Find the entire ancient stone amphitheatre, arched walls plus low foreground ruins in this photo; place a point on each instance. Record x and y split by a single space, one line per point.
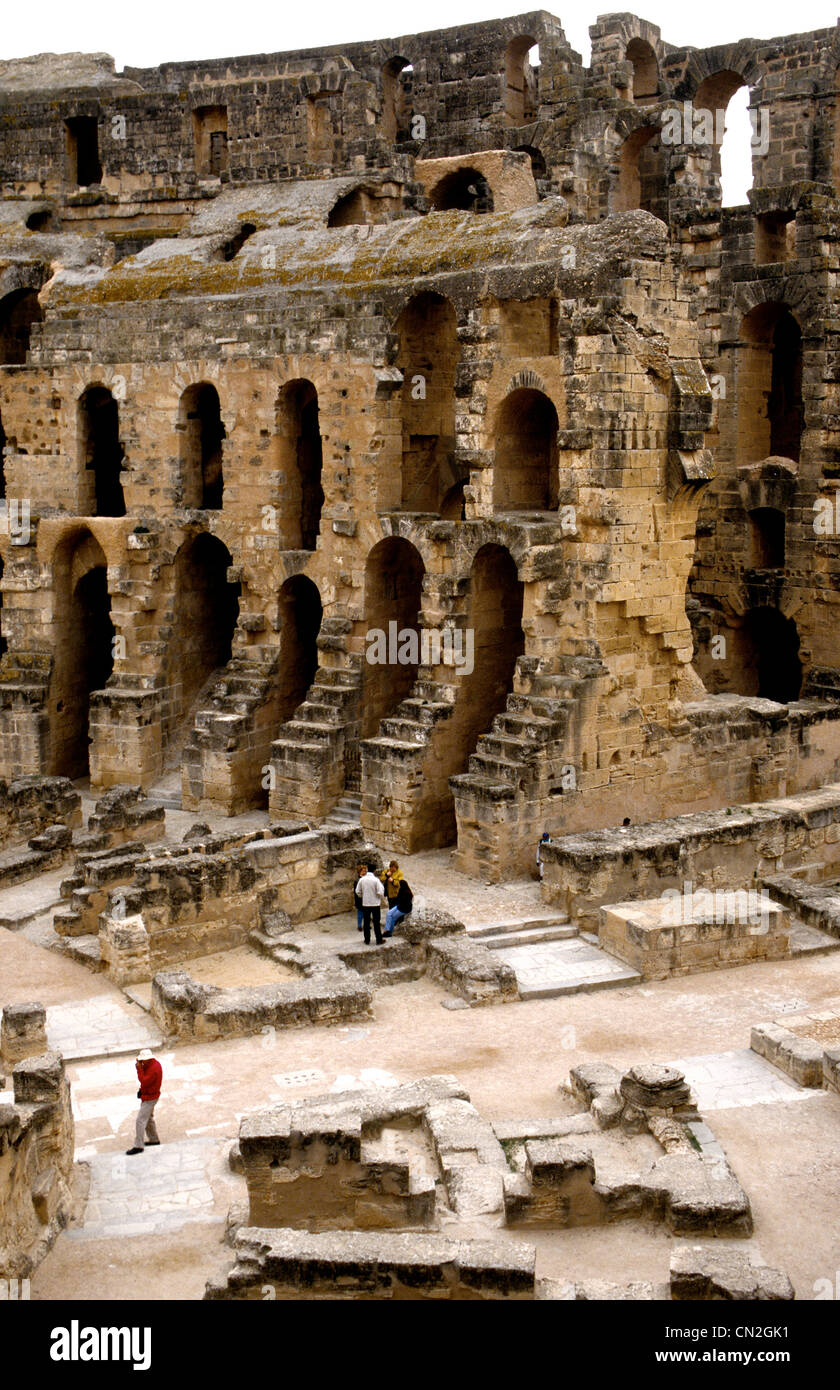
401 443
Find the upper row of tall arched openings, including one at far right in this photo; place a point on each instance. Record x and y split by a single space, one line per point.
526 473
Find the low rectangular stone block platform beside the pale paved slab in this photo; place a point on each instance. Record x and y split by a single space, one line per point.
686 933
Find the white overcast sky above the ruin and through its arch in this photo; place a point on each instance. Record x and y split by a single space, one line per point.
155 31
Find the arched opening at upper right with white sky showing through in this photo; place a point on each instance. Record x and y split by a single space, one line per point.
722 104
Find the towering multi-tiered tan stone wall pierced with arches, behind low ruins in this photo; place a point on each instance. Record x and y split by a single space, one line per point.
270 230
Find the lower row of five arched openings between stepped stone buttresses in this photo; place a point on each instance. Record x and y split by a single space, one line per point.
205 612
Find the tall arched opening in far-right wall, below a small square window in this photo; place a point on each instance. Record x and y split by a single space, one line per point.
770 380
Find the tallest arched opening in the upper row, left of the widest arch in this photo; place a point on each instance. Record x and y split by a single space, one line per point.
429 361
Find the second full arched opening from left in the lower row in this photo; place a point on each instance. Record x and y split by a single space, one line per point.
207 607
